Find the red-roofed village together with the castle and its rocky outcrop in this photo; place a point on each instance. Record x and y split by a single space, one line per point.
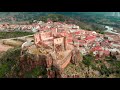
60 43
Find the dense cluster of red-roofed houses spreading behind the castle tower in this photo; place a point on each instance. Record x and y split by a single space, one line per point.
85 41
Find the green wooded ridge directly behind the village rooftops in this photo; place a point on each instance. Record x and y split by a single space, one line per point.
69 20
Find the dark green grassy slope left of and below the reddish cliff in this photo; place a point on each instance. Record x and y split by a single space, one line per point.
9 66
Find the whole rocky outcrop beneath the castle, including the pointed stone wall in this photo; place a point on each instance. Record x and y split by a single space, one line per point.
54 63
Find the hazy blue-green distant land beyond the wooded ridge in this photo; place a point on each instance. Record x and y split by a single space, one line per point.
96 19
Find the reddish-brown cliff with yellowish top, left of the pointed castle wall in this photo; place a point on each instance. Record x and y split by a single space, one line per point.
34 57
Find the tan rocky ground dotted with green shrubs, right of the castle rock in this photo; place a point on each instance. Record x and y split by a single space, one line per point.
100 69
